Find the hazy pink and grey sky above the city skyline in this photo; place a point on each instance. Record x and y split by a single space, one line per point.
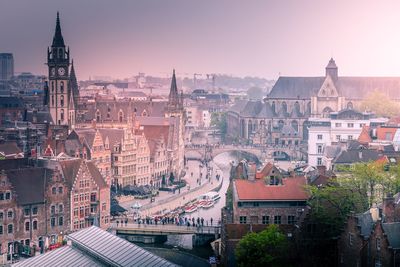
258 38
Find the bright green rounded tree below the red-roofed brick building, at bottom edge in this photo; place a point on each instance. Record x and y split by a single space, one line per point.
267 248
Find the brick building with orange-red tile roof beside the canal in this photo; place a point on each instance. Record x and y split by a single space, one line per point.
258 199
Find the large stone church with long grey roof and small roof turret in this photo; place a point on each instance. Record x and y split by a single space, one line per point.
281 118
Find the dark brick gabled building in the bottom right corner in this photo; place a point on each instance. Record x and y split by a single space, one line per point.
369 239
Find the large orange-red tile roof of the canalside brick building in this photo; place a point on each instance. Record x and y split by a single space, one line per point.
292 189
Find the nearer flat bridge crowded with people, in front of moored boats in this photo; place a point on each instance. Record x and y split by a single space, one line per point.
163 229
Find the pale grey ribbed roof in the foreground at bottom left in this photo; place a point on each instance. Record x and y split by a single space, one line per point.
113 250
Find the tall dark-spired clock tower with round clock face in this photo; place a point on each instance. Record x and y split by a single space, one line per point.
59 92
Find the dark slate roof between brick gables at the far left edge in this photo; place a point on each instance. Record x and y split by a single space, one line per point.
28 184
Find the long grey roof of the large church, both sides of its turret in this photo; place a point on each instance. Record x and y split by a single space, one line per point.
349 87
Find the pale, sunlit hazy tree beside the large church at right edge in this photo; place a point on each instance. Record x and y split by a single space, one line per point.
380 104
